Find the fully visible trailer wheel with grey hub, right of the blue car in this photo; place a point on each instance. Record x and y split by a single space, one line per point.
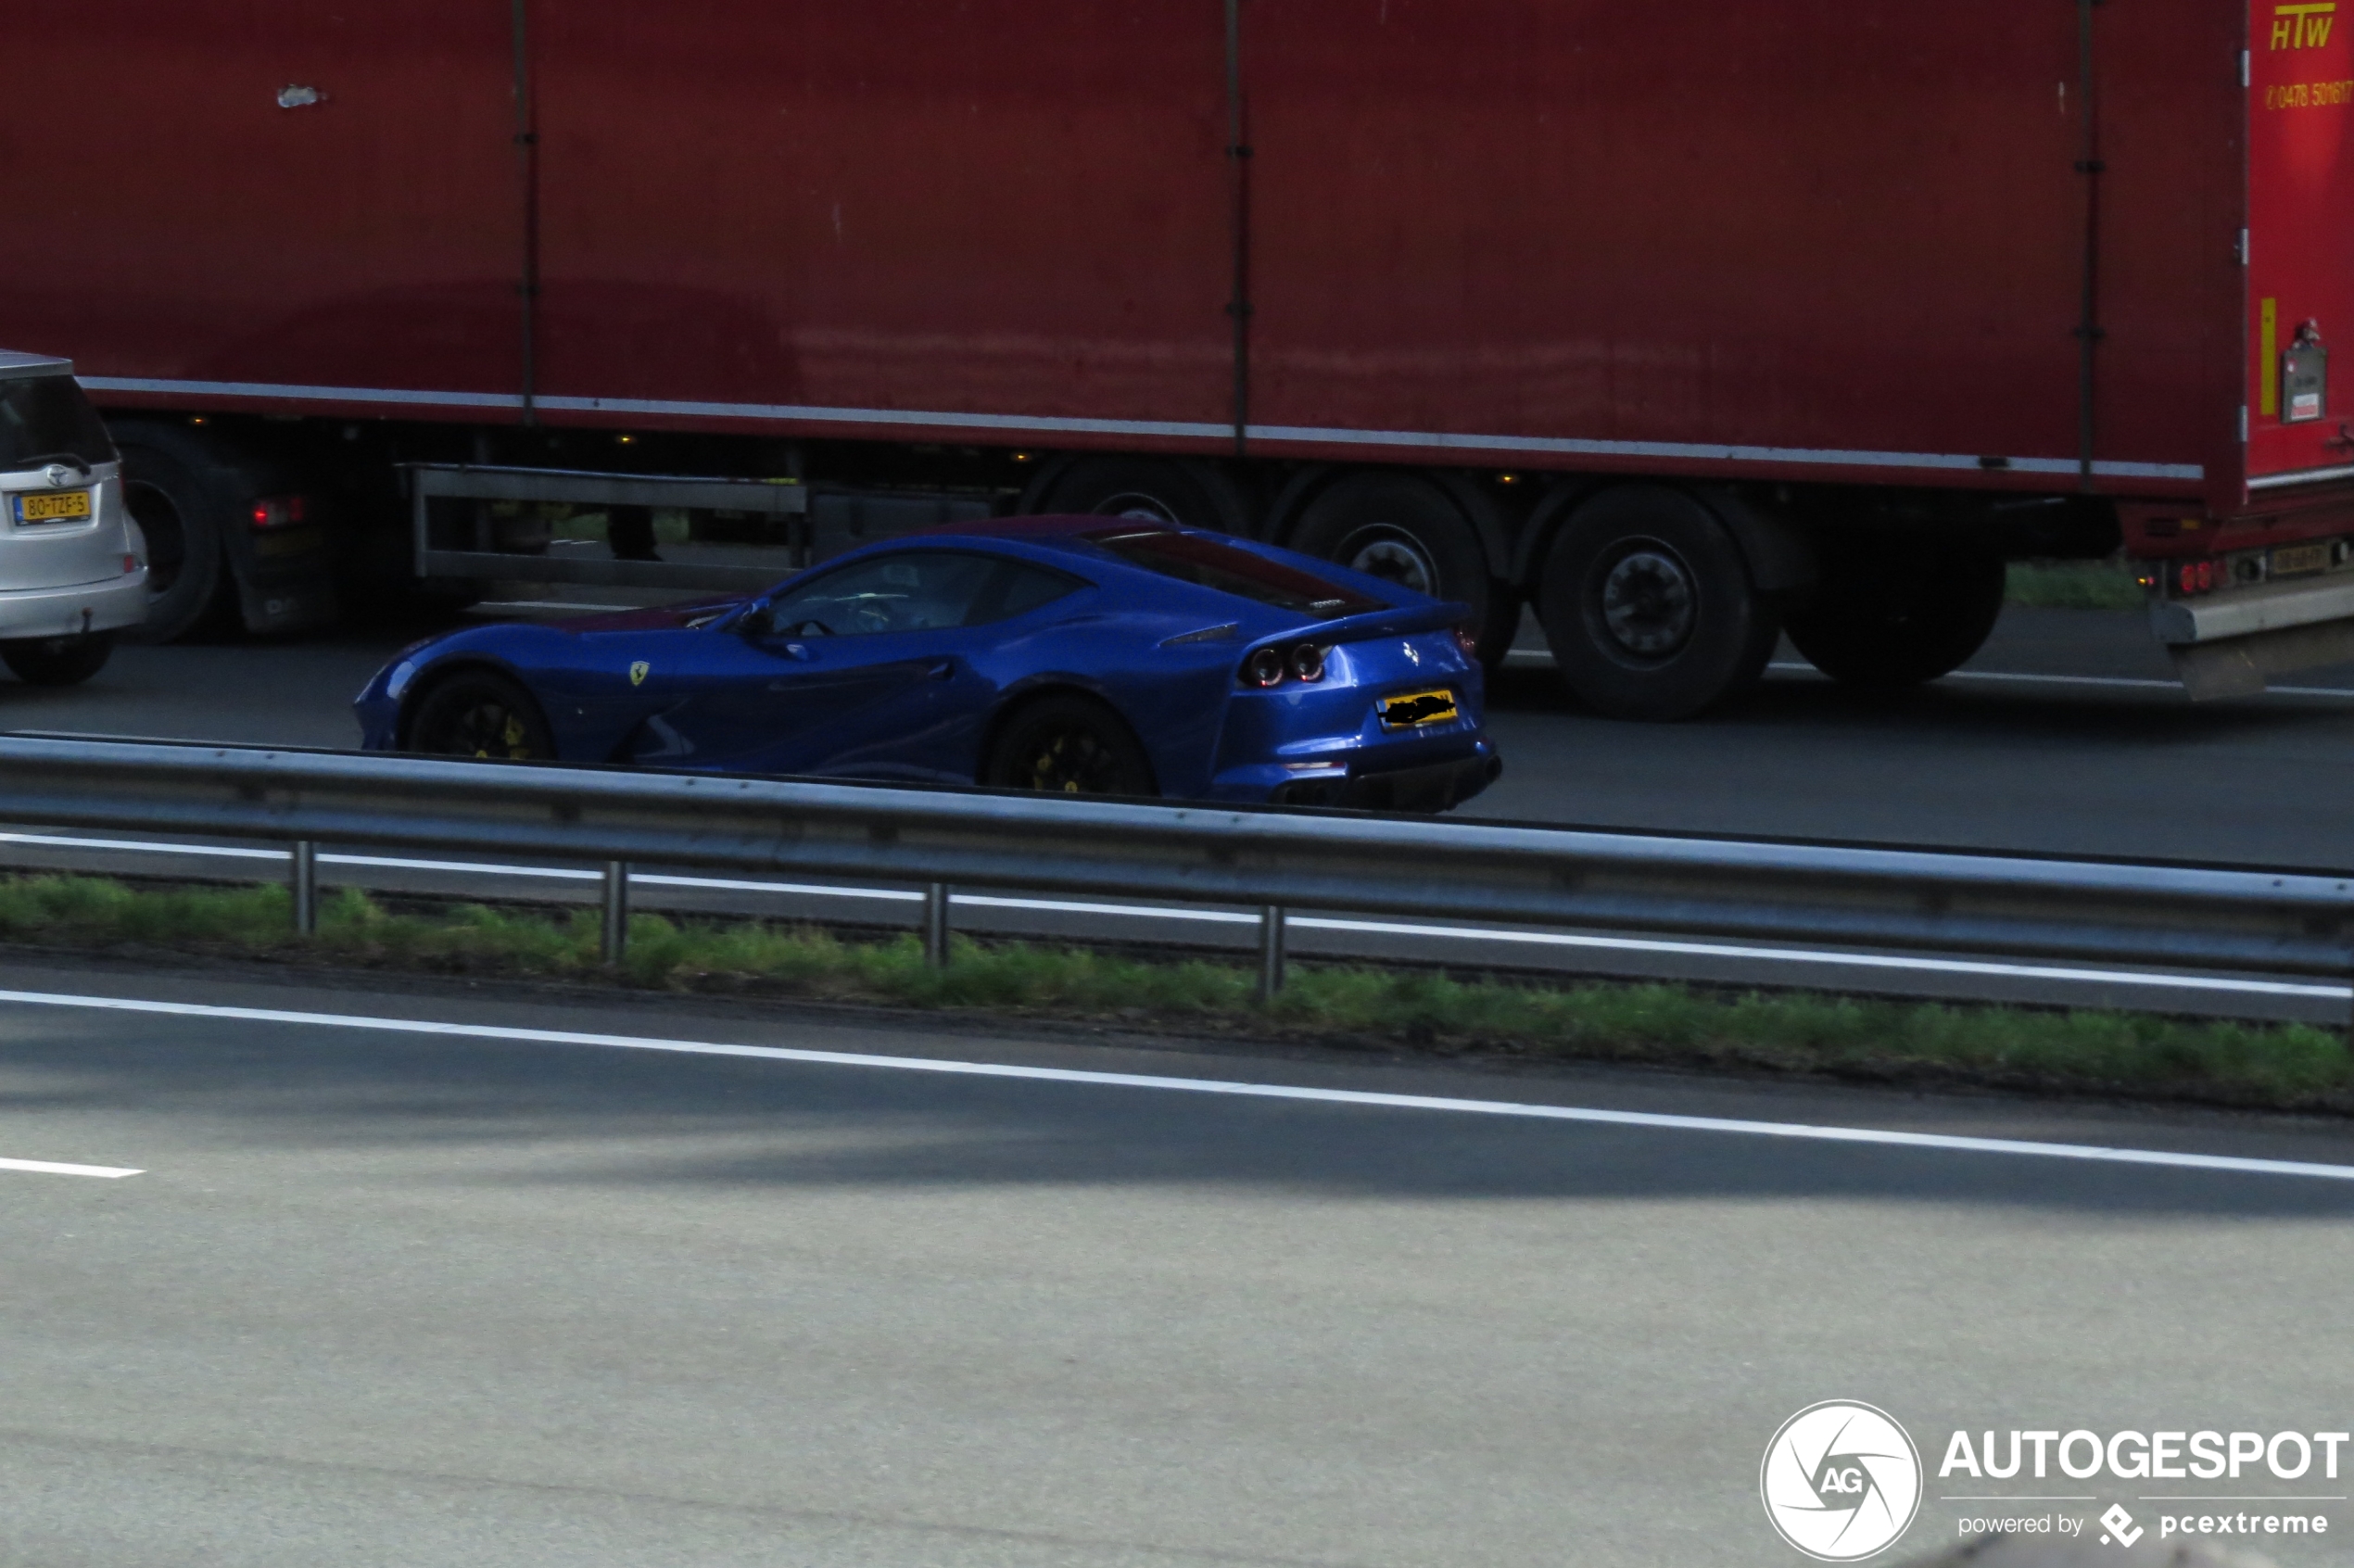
1649 606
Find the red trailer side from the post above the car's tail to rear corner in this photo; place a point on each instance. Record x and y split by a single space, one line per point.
1807 234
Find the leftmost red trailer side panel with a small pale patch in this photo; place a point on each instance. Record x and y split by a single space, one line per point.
197 230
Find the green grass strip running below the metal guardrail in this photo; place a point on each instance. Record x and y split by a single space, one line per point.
2115 1054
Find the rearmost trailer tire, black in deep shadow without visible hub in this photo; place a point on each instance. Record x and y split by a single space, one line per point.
1891 618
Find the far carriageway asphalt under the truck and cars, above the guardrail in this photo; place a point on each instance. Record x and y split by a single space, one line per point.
2063 736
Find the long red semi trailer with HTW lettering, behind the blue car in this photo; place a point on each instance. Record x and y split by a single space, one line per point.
1682 324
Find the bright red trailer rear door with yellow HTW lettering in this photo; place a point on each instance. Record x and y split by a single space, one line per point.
2301 255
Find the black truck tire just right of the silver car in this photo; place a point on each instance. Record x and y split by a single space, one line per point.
185 503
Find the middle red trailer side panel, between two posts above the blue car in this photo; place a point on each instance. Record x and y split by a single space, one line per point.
879 213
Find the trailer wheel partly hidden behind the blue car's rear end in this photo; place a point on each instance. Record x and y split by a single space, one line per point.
1407 531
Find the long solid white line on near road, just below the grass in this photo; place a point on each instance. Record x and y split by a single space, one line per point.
1661 1122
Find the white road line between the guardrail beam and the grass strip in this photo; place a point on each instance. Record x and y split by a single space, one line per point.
1230 917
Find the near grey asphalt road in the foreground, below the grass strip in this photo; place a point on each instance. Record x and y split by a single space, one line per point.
437 1298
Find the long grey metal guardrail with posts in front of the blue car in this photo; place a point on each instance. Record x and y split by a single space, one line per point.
1275 861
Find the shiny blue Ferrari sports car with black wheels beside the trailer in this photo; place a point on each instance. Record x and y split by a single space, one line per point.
1084 656
